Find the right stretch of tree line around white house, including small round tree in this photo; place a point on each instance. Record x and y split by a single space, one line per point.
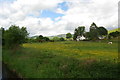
95 33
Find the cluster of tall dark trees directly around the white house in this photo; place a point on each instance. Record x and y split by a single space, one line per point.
94 33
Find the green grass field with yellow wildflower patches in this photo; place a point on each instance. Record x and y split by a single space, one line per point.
68 59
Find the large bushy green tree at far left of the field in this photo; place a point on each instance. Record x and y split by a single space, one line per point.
15 36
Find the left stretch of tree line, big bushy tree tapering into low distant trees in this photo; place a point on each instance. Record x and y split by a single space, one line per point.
15 36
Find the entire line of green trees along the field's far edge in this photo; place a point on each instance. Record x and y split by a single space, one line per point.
15 36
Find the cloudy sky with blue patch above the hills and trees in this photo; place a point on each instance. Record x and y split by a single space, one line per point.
53 17
